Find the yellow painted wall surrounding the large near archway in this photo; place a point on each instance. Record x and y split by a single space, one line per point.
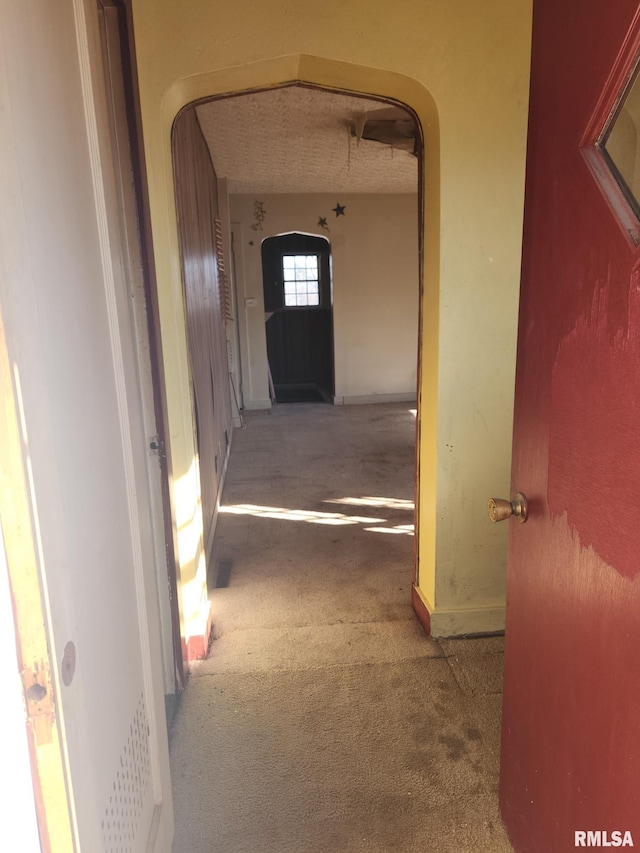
463 67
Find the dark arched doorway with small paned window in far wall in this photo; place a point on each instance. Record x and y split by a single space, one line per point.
296 277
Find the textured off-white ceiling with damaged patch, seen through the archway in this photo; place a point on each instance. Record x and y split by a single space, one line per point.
297 140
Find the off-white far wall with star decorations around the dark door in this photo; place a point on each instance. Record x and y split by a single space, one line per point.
374 248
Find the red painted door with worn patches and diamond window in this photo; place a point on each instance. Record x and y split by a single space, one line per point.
571 724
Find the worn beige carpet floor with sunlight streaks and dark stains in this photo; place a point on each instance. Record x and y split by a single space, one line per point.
324 720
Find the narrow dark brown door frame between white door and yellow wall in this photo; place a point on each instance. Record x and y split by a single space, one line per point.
128 65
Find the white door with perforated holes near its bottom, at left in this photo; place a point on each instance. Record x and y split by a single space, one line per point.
71 343
